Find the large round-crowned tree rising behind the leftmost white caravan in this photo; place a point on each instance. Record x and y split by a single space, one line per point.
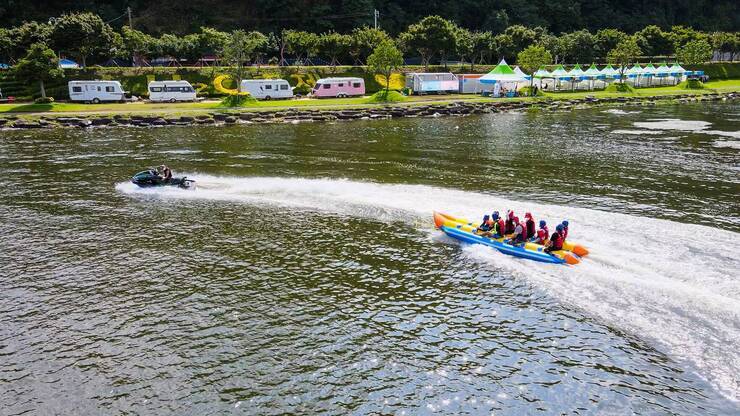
82 35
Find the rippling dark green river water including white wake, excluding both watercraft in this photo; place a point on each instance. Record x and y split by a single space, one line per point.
304 275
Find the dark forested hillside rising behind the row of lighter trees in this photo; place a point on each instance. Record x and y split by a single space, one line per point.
181 17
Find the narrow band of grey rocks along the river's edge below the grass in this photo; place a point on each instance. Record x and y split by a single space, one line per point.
228 117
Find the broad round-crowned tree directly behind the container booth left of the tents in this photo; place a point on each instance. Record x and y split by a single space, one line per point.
432 35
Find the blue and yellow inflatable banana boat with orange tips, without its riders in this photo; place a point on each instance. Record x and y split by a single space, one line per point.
465 231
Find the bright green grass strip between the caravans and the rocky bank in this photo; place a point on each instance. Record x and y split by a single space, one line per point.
335 103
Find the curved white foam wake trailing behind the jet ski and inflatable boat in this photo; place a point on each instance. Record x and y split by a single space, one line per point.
683 294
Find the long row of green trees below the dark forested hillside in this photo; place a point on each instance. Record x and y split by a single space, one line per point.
88 39
